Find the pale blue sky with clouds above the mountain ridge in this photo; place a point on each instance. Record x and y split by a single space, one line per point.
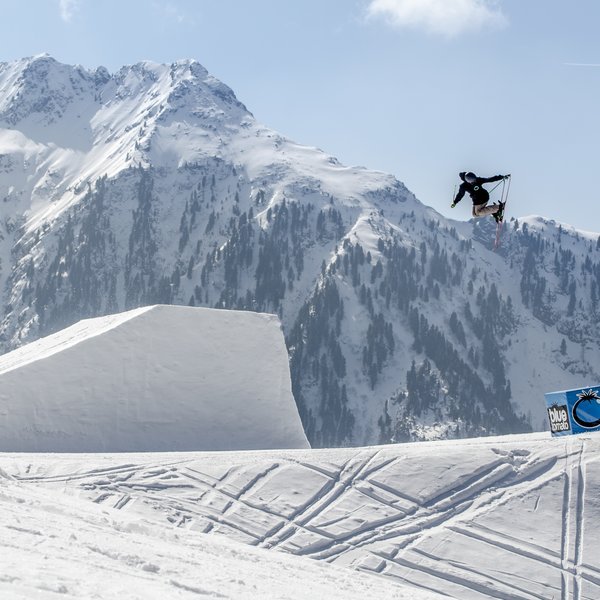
422 89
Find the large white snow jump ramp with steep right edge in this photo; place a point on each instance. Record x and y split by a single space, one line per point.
159 378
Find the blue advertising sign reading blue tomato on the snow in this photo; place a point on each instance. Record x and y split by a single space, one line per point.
574 411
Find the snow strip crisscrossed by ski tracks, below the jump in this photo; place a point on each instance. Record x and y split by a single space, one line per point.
487 519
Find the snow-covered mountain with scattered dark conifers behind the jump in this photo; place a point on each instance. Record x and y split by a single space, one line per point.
156 185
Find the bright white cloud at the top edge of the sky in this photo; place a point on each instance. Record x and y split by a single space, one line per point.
444 17
